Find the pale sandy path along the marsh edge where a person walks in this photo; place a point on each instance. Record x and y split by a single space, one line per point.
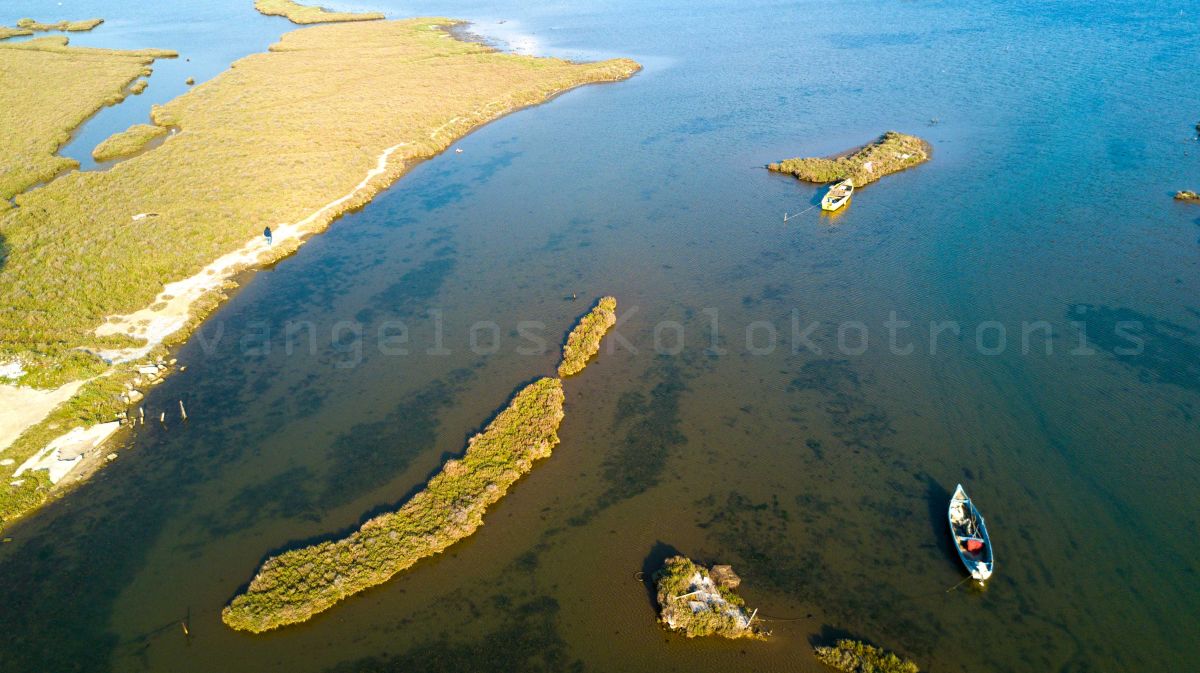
177 299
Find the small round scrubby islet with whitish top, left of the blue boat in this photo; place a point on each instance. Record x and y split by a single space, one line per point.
700 603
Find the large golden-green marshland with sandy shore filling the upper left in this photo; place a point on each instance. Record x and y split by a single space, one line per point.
118 263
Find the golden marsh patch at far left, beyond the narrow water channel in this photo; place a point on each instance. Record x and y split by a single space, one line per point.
37 119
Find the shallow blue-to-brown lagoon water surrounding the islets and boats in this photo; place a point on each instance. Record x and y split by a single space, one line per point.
819 468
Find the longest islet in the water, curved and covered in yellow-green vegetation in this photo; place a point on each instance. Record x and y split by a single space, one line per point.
296 586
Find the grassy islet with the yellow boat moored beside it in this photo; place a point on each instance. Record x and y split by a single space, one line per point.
892 153
